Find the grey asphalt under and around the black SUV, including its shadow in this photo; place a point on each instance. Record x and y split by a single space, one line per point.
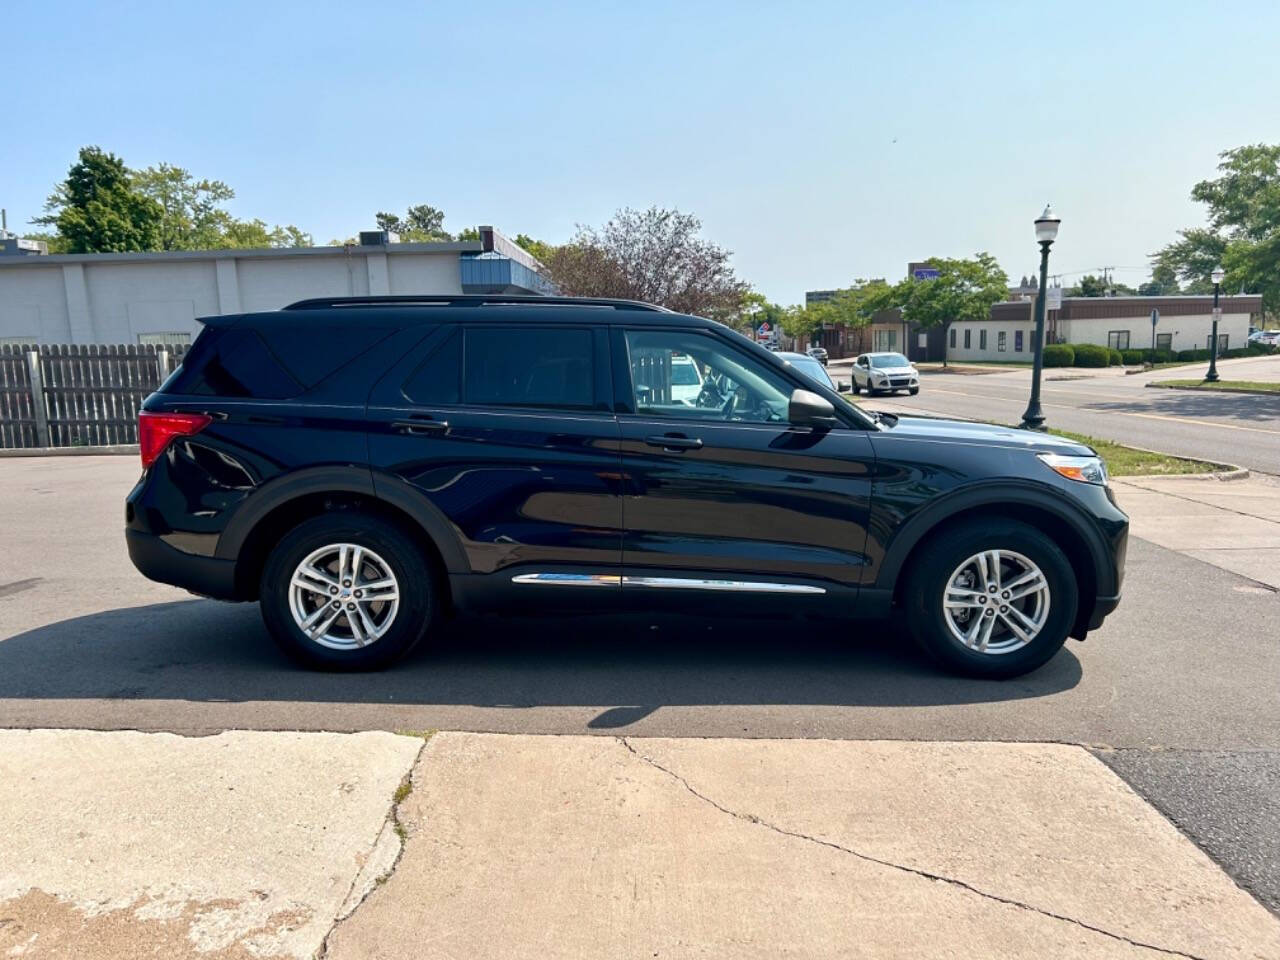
1178 692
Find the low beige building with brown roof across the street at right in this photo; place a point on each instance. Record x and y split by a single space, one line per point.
1122 323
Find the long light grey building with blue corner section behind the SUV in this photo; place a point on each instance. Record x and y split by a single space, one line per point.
157 298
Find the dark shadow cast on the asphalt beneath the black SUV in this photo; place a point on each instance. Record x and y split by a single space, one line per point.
203 651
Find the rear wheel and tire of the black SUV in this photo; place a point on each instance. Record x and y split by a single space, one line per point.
386 555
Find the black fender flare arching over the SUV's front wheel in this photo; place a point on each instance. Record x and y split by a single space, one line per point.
996 495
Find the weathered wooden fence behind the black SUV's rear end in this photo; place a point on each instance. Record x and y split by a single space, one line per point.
77 396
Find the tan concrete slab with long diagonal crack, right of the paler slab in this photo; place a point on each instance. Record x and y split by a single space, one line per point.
604 848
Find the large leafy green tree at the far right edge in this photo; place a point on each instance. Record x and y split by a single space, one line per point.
1244 232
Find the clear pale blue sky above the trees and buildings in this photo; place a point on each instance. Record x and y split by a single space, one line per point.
820 143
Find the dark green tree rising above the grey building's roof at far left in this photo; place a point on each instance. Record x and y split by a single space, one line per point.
97 209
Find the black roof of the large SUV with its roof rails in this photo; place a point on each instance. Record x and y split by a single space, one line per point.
429 309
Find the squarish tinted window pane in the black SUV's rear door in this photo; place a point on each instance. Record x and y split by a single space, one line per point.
529 367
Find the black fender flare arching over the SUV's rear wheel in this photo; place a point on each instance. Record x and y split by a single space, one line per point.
342 479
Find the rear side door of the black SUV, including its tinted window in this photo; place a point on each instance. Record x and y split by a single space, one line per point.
509 432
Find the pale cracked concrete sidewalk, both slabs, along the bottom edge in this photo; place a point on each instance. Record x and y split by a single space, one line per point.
127 845
